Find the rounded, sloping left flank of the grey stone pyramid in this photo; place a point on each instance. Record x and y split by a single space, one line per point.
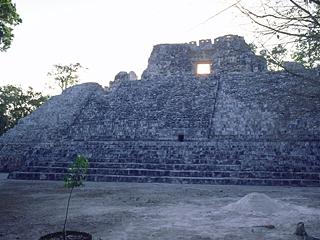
47 125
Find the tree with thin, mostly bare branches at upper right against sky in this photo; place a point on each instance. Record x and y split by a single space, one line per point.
293 23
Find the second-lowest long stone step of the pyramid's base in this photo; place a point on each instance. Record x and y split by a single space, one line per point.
180 173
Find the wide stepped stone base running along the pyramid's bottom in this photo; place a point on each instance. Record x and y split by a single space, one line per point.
220 162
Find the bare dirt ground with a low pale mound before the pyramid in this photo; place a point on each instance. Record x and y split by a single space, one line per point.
120 211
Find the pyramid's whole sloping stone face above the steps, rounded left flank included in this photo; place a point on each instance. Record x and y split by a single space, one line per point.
266 106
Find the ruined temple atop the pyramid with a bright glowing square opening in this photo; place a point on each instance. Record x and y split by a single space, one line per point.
228 53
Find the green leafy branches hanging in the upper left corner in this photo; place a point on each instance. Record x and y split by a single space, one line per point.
8 19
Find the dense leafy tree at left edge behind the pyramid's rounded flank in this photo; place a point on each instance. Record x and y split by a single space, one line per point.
15 103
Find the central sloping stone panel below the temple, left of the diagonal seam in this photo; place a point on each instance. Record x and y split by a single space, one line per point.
150 109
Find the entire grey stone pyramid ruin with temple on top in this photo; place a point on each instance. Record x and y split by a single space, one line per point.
208 113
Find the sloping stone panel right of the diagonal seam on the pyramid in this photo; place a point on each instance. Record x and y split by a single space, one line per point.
269 105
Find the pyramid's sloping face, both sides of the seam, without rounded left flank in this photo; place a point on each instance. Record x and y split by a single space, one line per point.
253 105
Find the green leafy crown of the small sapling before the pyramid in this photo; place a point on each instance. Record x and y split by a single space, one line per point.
77 172
